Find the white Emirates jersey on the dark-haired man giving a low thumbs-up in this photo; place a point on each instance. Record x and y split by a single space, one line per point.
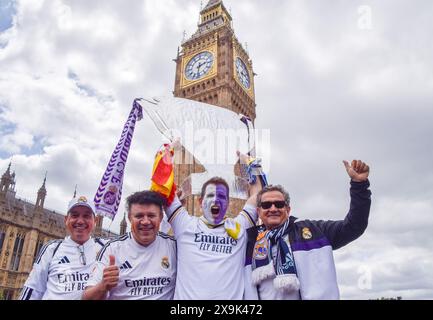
144 272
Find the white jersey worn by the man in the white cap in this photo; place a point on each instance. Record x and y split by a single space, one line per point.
61 270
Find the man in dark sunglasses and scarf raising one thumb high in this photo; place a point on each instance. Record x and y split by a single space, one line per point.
291 259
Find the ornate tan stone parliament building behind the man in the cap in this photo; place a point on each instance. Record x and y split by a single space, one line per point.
24 228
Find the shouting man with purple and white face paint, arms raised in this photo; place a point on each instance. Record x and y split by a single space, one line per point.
211 248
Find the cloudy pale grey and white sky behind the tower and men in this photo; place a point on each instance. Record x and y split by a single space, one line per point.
336 80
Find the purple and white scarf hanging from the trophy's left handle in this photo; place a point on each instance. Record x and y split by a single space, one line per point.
109 193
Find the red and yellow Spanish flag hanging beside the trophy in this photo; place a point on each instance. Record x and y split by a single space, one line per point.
162 180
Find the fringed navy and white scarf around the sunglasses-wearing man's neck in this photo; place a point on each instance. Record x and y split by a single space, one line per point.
282 268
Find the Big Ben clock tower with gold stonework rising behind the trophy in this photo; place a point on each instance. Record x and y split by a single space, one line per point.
213 67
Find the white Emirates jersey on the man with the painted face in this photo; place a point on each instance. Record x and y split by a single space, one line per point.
210 262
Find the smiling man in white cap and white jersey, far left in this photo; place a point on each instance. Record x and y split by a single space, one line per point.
63 266
